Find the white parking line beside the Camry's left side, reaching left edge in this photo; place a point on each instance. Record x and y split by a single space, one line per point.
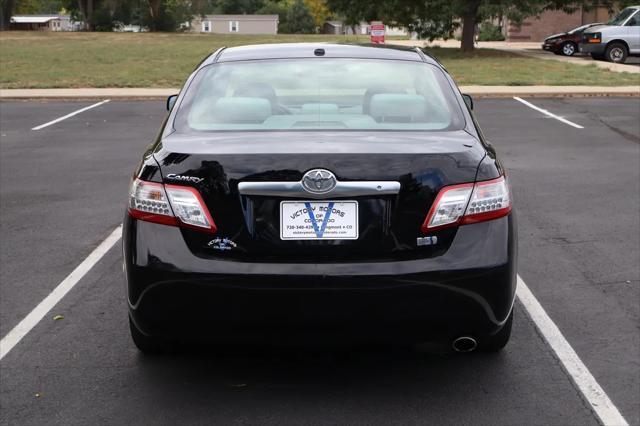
35 316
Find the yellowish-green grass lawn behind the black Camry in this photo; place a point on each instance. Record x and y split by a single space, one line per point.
46 60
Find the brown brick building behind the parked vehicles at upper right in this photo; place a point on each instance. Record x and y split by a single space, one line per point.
537 28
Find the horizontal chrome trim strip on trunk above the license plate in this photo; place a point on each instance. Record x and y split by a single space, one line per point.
342 189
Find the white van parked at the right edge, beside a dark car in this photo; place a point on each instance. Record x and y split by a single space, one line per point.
615 41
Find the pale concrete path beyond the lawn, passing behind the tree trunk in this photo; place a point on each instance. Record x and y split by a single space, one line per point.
528 49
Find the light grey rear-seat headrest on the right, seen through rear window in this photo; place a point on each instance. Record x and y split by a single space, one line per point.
398 107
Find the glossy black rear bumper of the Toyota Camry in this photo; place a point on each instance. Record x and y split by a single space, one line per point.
172 293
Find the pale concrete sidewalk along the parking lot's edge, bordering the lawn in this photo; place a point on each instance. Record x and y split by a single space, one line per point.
478 91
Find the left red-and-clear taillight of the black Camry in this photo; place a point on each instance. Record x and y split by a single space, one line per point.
169 205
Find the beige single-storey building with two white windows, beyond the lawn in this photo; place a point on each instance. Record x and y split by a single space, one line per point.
235 24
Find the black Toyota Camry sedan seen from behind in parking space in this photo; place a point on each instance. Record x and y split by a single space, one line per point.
311 191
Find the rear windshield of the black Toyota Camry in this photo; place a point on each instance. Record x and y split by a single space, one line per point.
319 94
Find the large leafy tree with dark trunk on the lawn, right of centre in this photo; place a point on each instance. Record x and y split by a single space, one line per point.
433 19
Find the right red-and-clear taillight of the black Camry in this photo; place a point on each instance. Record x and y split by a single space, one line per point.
468 203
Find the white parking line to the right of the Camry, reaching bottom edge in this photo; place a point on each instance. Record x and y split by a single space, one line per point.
580 374
